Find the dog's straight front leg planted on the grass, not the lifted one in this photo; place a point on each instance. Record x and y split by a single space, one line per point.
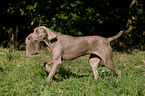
55 66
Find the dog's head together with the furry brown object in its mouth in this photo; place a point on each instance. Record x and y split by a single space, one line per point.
32 41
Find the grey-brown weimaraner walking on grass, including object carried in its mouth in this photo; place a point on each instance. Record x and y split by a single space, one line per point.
64 47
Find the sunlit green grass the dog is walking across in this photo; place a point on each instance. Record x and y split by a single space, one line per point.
22 76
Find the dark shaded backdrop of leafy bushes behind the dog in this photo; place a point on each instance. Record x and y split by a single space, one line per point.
106 18
